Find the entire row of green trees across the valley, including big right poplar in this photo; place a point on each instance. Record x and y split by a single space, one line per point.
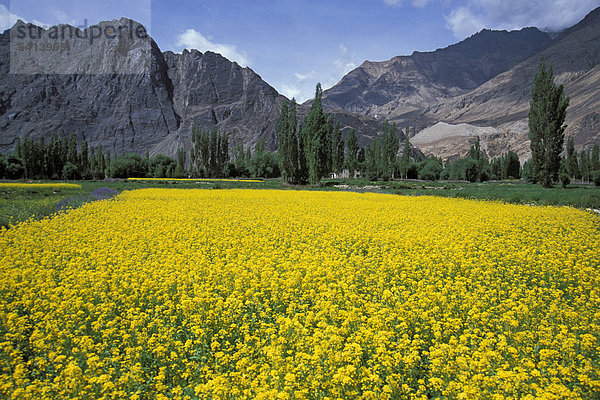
315 148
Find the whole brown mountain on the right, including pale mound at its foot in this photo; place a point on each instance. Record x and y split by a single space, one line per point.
481 87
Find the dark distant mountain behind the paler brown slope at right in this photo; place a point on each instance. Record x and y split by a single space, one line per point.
409 83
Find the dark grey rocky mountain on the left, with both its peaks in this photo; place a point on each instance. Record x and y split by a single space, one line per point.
138 104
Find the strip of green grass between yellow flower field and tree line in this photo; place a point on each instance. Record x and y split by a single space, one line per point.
21 204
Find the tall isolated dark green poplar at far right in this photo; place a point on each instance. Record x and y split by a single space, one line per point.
548 109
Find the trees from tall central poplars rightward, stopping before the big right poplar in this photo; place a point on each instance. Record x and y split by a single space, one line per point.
315 148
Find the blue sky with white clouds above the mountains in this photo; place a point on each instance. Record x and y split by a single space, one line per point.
295 44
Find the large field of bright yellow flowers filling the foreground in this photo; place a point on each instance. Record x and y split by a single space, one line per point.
225 294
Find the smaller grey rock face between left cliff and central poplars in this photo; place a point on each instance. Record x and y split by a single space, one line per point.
211 91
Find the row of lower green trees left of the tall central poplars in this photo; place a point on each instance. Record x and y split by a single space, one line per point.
75 160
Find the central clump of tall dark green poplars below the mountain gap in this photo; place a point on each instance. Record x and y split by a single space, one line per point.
315 148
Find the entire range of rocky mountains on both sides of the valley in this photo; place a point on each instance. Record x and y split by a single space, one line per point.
476 88
